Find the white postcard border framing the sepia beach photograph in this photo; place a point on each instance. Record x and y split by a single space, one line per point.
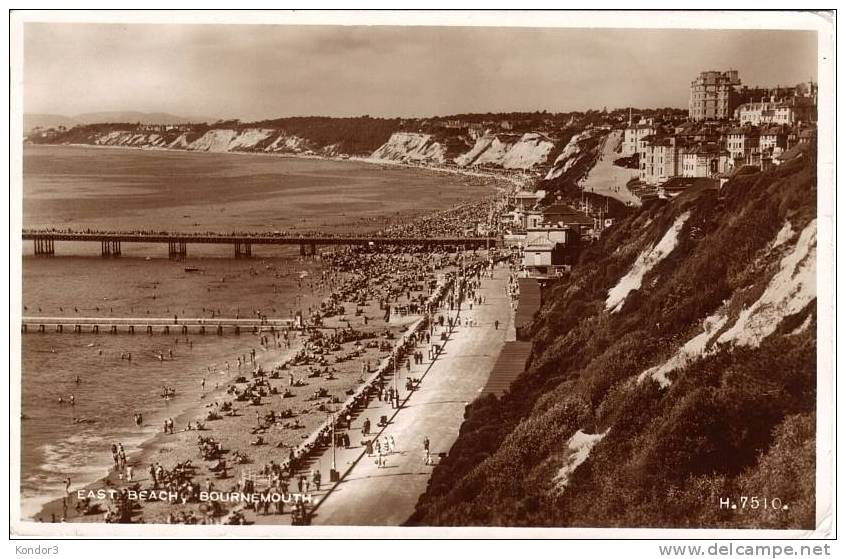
821 23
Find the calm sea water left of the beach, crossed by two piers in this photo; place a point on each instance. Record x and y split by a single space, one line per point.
132 189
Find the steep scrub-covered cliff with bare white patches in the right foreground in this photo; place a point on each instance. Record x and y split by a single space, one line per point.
673 367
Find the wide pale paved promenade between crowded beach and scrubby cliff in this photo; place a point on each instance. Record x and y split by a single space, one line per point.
370 495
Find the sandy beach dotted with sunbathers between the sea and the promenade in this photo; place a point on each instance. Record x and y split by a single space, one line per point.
317 383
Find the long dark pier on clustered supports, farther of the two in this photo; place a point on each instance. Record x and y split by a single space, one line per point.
177 243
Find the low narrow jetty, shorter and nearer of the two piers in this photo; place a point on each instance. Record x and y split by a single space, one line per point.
151 326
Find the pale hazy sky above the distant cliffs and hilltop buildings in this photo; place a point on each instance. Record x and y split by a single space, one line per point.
253 72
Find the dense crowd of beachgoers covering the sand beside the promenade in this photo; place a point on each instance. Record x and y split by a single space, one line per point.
386 308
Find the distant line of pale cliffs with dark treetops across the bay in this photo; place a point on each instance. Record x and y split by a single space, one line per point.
378 140
